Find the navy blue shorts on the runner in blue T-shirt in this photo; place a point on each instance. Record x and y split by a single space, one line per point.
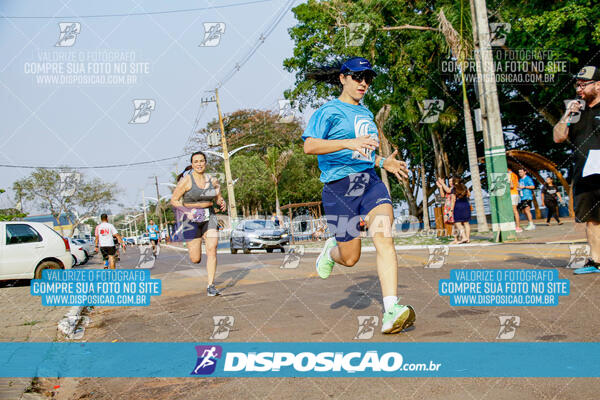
348 200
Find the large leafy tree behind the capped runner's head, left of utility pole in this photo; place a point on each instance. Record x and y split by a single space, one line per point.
406 48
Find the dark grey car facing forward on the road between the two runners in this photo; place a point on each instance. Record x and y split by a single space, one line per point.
258 234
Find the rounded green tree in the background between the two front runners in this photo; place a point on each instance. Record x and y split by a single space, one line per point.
274 170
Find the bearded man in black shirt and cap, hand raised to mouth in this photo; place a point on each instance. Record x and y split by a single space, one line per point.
581 127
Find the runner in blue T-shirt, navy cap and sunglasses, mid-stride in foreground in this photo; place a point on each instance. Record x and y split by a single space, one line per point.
344 137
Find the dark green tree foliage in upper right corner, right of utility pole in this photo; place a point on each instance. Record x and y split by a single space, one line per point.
567 31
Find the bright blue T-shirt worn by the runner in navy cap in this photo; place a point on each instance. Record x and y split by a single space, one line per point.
337 120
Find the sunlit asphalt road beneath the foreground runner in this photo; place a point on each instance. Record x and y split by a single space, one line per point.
268 303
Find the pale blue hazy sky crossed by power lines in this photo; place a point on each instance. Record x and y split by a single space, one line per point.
88 124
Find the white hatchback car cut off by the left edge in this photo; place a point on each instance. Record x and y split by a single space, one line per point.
28 248
